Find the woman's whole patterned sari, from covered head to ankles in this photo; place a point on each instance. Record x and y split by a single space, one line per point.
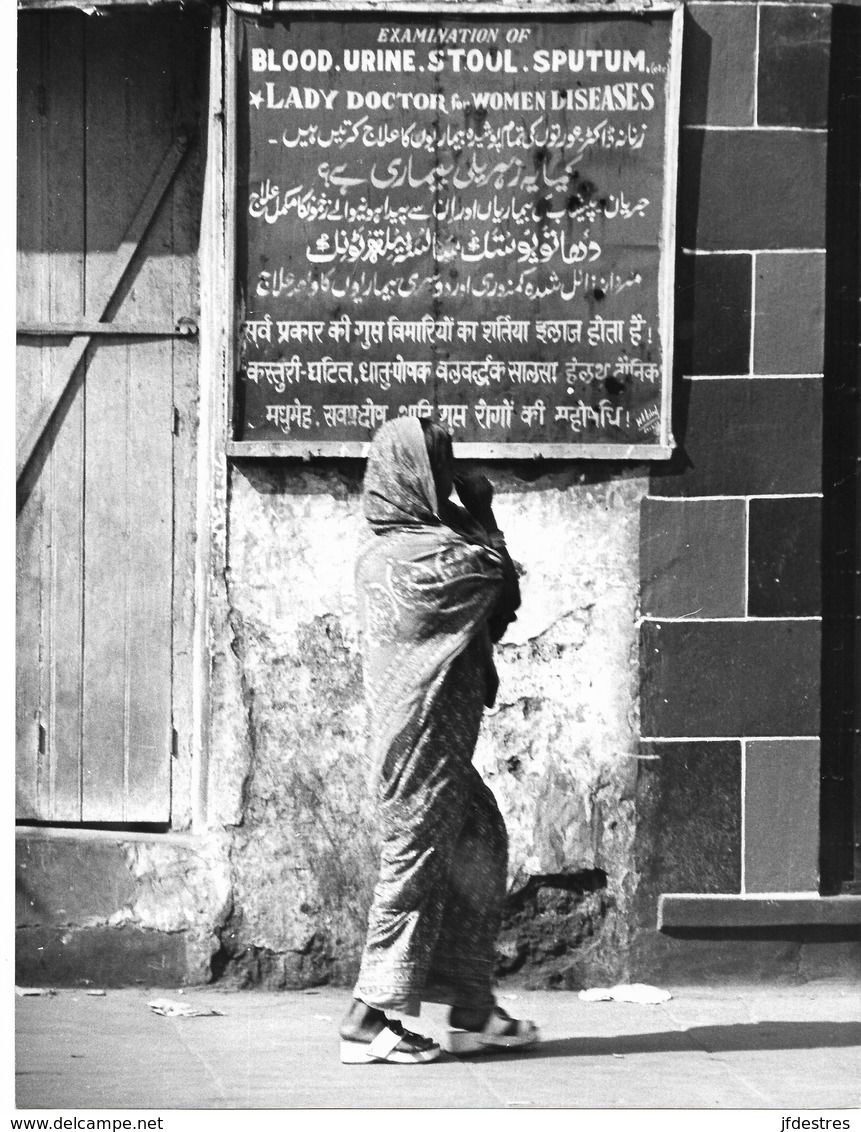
426 590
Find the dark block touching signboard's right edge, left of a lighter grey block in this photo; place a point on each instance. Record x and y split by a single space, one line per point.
713 315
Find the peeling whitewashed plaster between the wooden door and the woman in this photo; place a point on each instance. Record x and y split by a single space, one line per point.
304 838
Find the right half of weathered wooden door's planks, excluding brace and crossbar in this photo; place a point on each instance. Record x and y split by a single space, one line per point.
130 445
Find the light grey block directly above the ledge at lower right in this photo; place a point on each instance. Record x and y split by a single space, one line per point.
782 817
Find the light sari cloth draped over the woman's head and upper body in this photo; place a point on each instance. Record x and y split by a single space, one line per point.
425 590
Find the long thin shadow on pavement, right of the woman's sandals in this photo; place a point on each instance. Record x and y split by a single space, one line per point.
748 1037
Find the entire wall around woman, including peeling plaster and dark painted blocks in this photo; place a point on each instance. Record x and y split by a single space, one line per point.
659 721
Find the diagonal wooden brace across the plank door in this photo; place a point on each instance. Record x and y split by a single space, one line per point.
131 244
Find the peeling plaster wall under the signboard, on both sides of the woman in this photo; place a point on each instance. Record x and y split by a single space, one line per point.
559 750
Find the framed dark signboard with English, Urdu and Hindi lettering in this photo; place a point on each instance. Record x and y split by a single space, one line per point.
468 217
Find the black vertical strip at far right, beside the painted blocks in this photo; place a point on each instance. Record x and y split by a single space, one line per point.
841 793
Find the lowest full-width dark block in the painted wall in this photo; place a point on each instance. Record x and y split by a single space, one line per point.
730 679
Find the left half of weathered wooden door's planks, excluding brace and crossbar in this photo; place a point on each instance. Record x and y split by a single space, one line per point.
50 286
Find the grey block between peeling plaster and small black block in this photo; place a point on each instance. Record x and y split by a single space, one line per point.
693 558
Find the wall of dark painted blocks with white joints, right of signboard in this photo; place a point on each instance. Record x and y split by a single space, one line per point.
728 797
